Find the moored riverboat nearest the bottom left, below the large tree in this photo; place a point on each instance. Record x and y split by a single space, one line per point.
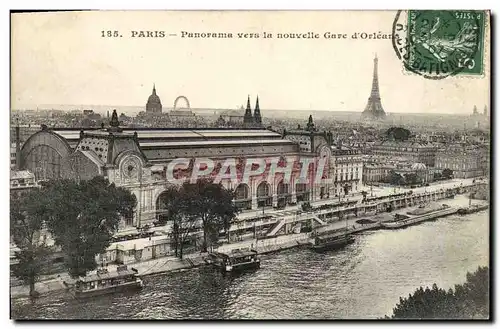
105 282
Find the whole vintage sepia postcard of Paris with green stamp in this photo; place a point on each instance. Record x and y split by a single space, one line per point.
298 165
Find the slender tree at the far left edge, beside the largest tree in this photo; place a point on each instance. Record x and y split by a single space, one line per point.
26 222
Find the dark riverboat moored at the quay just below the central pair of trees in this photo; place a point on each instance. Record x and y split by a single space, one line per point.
234 261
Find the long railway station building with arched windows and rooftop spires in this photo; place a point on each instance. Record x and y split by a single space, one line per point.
138 159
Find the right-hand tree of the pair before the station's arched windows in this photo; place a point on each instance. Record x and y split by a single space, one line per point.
213 205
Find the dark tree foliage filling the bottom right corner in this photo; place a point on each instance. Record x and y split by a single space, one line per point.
467 301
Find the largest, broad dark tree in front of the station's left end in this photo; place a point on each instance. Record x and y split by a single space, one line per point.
83 216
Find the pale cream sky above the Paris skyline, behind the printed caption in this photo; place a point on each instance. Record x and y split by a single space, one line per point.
61 58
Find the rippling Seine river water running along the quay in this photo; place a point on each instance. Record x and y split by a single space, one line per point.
364 280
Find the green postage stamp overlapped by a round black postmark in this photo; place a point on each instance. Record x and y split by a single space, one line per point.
440 43
